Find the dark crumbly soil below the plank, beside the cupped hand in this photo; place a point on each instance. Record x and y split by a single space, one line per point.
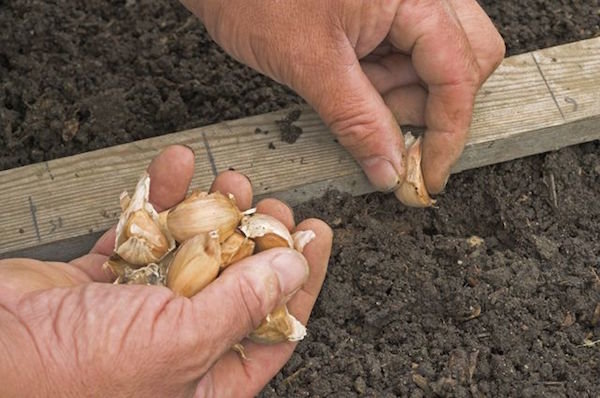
491 294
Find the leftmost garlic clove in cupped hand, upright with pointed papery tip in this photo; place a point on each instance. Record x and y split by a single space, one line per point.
139 238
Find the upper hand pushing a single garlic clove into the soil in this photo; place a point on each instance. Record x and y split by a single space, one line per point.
366 66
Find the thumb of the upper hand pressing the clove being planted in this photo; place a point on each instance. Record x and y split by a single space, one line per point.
355 112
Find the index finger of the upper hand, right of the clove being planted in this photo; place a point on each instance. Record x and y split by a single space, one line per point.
444 60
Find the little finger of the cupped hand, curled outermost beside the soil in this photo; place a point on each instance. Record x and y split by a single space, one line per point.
233 376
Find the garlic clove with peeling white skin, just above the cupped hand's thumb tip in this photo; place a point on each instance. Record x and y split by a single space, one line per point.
266 231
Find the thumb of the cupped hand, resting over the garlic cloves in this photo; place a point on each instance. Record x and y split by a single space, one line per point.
237 301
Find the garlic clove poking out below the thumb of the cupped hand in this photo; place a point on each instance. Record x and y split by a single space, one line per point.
277 327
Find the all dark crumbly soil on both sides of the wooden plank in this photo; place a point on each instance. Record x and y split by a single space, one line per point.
493 293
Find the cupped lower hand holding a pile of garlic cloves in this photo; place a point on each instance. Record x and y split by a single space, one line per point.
63 332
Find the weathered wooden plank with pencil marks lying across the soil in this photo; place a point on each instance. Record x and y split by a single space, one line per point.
518 113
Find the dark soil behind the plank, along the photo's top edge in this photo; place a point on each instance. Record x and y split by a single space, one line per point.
82 75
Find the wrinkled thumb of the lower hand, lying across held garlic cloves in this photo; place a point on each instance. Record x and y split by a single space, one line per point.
229 308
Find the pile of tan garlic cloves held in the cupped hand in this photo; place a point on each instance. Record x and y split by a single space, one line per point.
186 247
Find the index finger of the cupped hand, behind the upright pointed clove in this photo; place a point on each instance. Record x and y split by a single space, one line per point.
170 173
